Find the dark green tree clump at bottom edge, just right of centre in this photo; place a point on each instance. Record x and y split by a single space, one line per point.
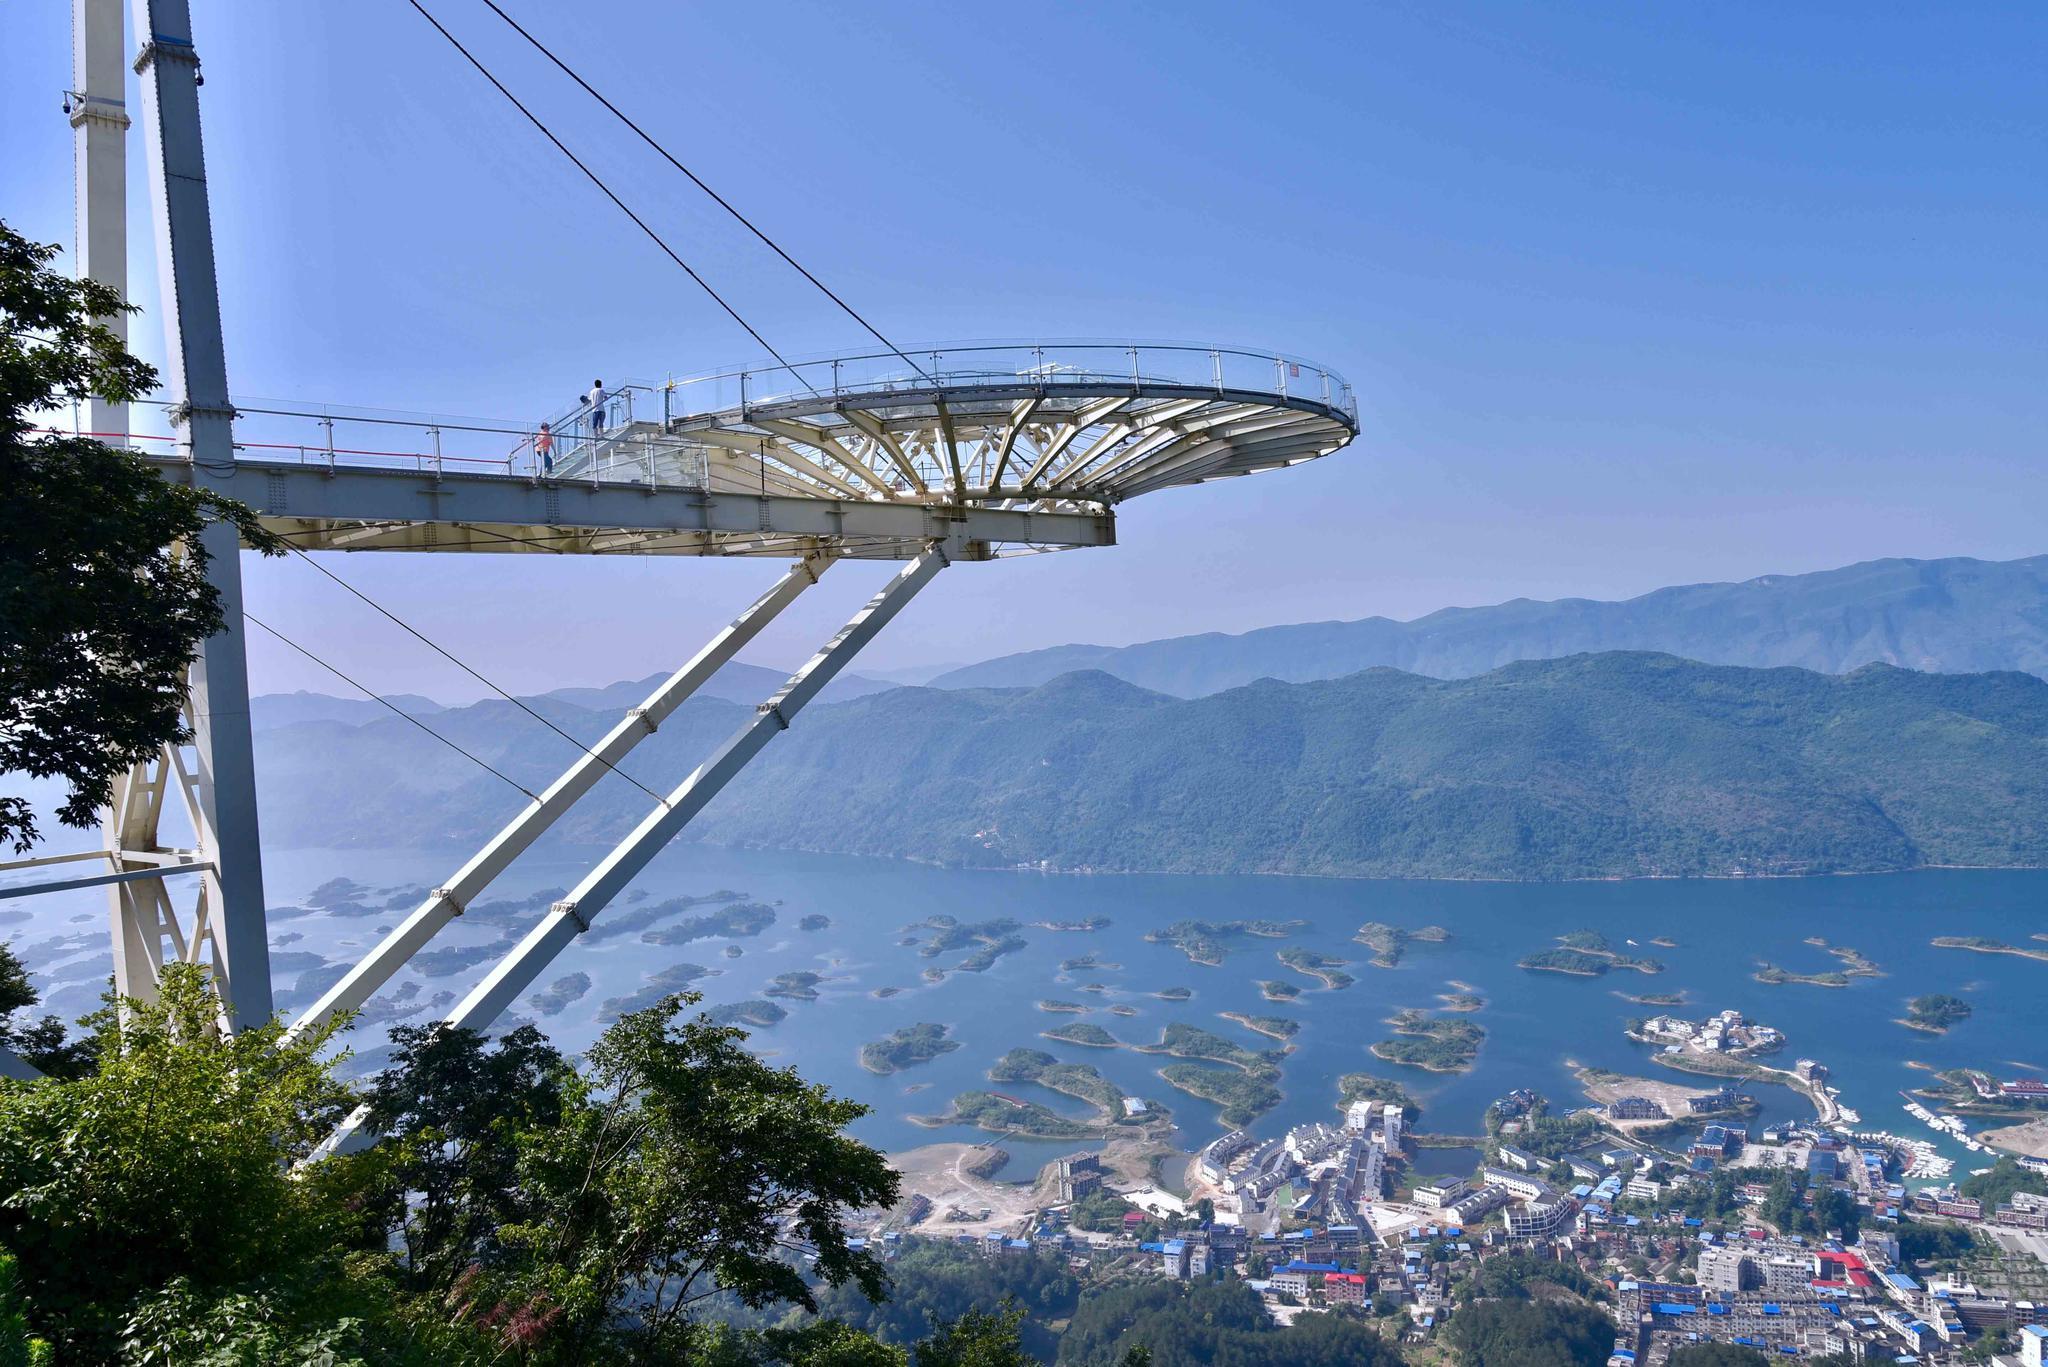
1201 1325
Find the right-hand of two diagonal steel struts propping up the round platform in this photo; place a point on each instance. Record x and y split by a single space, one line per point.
574 913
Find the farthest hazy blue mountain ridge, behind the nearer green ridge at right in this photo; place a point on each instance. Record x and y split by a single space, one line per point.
1947 616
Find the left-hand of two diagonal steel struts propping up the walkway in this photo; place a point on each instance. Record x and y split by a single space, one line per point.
450 901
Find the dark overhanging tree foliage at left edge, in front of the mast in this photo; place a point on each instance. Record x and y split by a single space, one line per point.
103 565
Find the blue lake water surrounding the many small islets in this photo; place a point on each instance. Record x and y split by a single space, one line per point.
1535 1022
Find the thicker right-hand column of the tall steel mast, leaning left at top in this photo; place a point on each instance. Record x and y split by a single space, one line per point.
196 376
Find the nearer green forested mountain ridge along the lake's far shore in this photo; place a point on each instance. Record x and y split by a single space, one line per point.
1601 765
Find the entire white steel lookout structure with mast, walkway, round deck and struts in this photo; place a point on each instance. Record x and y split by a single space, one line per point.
964 464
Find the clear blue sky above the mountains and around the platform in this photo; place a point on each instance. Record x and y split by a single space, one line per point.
1631 294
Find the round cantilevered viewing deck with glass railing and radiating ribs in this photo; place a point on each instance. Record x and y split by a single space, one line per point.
1050 425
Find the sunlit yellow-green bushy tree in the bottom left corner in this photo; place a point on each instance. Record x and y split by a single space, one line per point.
171 1159
